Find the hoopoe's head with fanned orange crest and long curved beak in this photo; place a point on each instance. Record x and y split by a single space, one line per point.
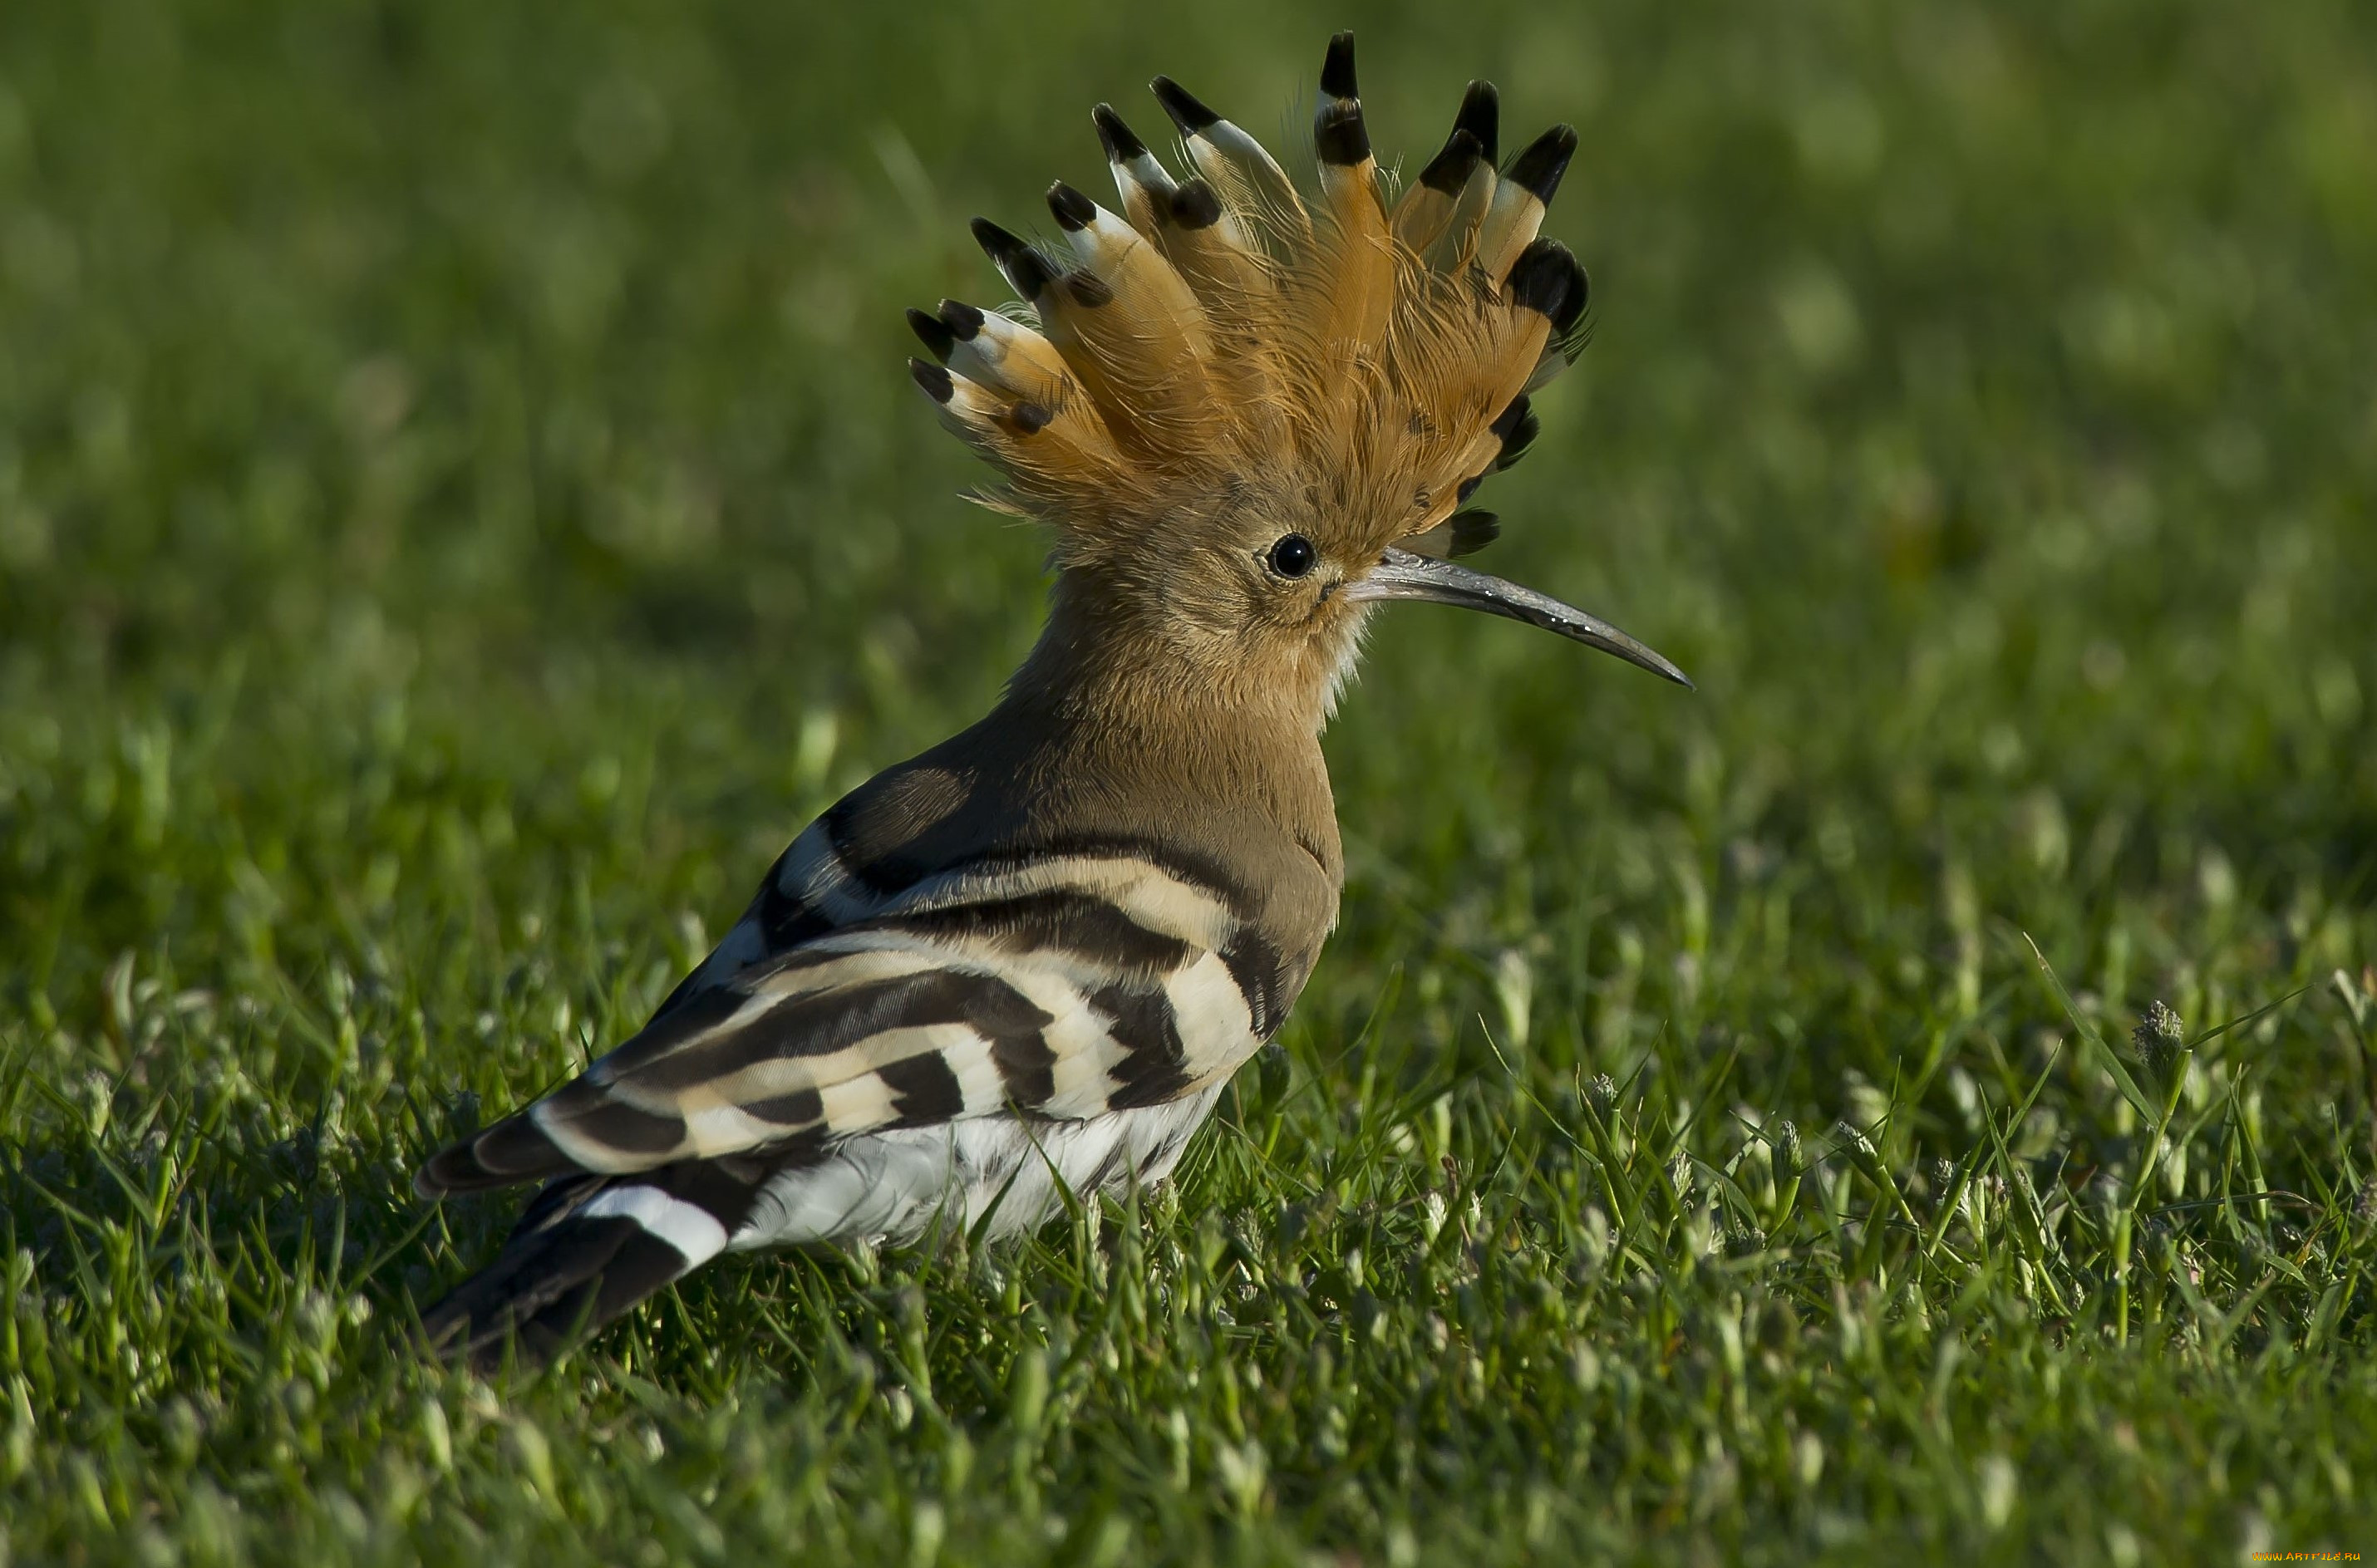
1254 407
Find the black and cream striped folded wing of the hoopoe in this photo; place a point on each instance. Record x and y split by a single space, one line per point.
1064 982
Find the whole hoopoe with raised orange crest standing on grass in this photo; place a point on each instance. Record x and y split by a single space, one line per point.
1028 961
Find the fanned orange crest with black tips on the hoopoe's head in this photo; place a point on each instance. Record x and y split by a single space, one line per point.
1330 353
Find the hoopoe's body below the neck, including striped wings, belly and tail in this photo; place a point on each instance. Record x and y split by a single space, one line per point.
1014 968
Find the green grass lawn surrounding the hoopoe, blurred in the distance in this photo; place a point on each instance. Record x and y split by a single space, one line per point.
462 512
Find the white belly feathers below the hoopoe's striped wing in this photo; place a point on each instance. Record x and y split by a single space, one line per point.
890 1187
